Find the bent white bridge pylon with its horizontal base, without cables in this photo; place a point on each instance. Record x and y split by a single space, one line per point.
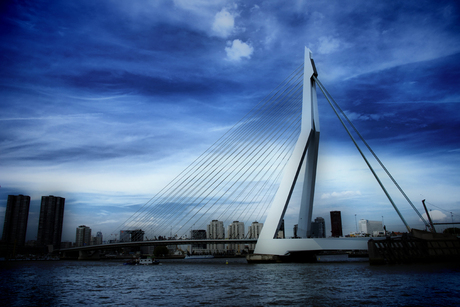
304 156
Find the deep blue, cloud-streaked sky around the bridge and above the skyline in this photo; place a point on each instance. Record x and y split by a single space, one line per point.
105 102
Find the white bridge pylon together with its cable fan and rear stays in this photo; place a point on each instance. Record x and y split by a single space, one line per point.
250 174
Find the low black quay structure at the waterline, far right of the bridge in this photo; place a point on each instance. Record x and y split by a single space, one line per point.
416 247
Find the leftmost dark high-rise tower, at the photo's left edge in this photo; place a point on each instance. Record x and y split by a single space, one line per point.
16 216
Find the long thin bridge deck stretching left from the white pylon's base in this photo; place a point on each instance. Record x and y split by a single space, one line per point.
157 243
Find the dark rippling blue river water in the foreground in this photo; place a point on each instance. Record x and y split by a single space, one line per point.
214 282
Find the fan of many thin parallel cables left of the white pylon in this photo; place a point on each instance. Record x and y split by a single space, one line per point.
211 181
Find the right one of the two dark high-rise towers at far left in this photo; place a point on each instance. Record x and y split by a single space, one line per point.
50 221
